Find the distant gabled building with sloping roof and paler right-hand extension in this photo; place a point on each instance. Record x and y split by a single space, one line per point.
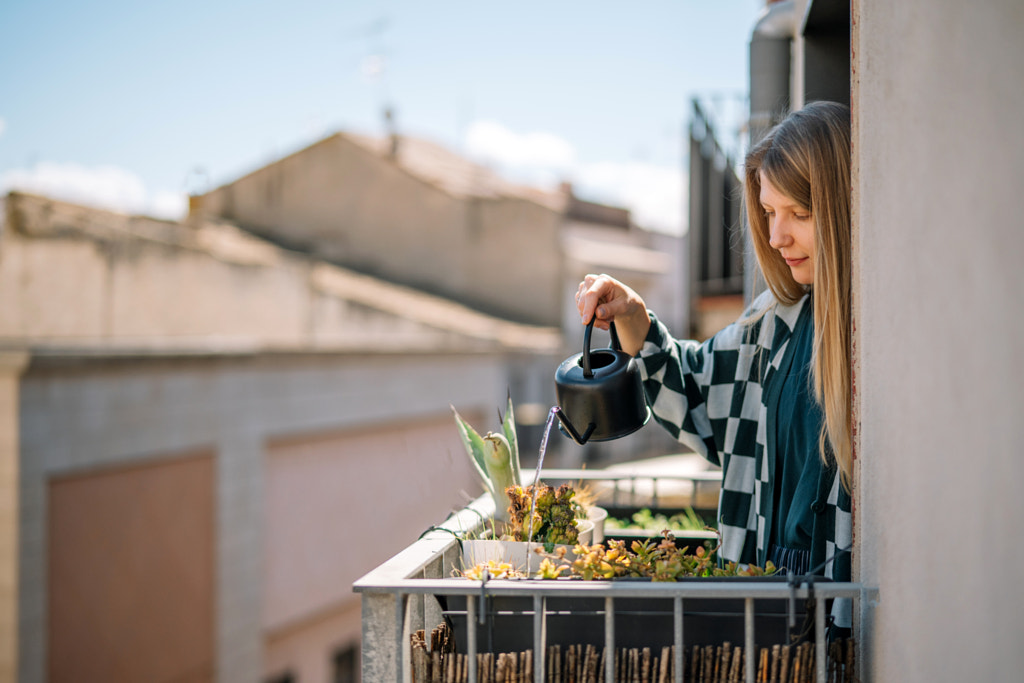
415 214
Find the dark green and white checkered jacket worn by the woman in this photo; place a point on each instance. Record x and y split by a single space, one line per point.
719 398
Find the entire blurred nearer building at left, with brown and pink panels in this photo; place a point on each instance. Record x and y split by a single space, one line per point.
205 439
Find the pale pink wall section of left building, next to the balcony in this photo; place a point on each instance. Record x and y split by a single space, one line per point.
335 504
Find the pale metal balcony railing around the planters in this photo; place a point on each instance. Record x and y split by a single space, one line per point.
405 595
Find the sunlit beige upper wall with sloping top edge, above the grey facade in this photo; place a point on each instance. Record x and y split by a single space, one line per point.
73 276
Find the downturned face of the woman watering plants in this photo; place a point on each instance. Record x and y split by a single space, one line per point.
791 231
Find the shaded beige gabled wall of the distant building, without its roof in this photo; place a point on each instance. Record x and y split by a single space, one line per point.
358 208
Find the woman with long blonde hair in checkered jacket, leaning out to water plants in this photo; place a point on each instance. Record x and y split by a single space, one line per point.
769 398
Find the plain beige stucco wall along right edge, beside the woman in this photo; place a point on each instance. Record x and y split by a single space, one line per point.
938 147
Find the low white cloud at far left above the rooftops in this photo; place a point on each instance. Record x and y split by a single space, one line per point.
102 187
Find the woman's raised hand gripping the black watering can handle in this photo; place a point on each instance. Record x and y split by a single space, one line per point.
610 301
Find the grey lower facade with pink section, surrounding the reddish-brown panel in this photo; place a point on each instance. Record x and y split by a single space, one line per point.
286 432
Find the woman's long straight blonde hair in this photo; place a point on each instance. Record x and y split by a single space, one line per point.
807 158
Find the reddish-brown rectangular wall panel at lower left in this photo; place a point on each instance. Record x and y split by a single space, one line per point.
131 574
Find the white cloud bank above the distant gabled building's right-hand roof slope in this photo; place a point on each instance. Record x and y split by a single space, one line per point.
654 193
